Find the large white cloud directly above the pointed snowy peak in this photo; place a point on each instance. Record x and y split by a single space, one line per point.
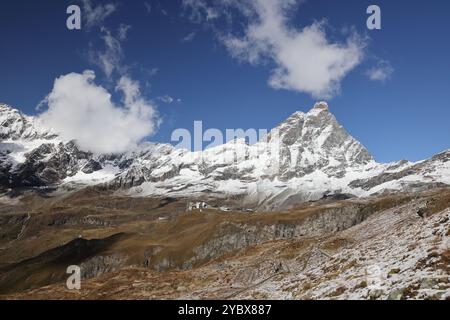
305 59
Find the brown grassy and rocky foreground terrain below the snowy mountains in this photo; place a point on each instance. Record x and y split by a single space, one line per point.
381 247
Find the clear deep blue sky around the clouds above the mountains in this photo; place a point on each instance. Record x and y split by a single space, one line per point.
404 117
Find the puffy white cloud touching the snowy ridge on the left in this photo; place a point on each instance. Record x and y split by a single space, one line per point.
80 110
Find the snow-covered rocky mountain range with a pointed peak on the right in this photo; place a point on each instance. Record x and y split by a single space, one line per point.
308 156
